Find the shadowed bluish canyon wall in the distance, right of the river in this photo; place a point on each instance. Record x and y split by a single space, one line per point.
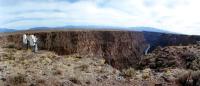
162 39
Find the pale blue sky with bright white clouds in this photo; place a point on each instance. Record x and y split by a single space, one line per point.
182 16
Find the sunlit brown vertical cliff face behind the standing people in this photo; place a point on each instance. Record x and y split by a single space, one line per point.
121 49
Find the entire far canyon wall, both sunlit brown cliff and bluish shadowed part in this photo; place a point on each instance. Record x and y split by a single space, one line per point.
121 49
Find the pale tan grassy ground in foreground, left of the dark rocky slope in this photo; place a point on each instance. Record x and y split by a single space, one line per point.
25 68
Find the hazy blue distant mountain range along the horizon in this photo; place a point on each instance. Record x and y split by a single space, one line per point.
142 29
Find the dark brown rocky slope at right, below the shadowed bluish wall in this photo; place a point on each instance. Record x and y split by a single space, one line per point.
173 56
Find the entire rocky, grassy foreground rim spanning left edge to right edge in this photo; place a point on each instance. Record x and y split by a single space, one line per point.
163 67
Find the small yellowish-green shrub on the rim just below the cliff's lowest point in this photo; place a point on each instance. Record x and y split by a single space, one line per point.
128 72
